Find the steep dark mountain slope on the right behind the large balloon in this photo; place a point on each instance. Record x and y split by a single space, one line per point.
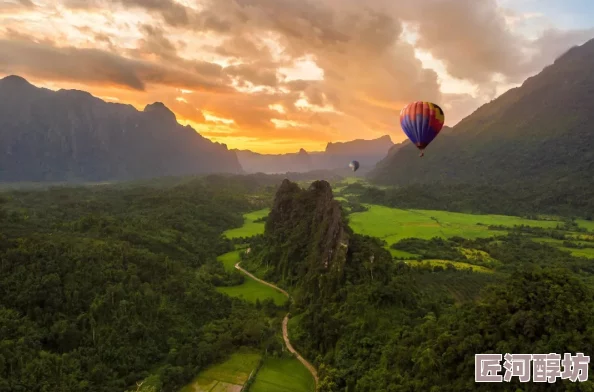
537 135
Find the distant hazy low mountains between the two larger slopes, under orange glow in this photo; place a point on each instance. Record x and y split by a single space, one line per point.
335 156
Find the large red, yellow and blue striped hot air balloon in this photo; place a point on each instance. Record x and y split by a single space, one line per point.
421 122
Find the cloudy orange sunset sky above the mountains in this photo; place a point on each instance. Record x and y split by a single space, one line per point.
274 76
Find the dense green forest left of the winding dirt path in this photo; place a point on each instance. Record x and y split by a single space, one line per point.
101 286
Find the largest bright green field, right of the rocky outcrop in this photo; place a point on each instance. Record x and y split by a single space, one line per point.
392 224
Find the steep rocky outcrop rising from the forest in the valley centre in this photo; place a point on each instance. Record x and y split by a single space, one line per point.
306 239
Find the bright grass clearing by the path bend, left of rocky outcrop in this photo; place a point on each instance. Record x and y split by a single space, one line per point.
250 290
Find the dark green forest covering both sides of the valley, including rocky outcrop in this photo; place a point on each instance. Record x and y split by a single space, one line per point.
102 286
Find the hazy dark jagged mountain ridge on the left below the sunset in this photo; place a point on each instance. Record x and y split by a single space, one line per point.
69 135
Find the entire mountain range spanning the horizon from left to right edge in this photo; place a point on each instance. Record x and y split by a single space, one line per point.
536 136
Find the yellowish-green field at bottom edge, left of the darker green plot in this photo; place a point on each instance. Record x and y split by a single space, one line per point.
228 376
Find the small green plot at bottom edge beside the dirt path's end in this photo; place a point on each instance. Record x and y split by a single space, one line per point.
283 375
